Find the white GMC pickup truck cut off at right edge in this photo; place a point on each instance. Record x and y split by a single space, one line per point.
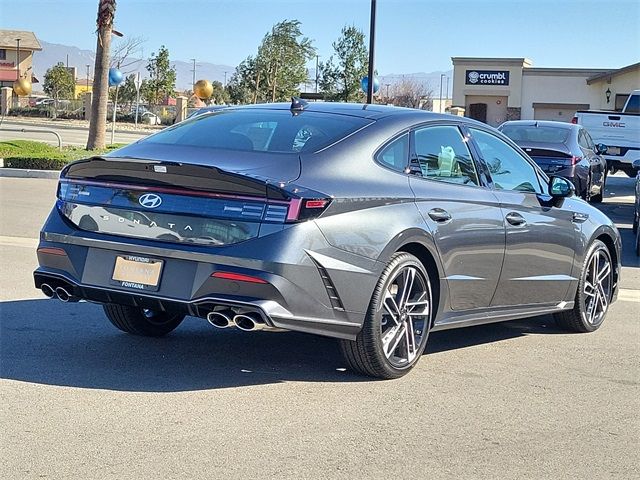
619 131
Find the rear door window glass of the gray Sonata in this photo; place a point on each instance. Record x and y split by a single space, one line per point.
442 154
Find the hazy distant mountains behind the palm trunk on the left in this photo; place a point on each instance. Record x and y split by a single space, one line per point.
53 53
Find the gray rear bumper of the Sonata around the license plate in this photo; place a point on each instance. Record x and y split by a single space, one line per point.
295 294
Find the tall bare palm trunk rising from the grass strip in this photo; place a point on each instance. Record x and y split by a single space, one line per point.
98 121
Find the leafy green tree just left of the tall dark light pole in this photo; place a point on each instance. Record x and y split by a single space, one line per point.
341 75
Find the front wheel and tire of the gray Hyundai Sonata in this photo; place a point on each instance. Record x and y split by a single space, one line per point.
584 316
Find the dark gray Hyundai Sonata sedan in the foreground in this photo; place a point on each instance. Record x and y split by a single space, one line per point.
372 224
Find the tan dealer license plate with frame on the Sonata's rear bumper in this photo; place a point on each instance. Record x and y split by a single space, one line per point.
137 272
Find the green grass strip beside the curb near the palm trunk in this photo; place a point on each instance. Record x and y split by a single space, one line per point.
42 156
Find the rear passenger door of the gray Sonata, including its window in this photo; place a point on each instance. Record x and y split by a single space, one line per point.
461 212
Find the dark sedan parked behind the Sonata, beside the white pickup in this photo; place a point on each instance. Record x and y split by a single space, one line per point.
563 149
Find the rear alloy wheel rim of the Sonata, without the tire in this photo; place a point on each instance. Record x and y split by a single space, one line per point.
405 313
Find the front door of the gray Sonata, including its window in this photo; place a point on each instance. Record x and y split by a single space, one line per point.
540 237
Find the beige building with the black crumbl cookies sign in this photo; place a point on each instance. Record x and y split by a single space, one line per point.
494 90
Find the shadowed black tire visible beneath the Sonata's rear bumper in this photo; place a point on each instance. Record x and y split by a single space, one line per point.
138 321
